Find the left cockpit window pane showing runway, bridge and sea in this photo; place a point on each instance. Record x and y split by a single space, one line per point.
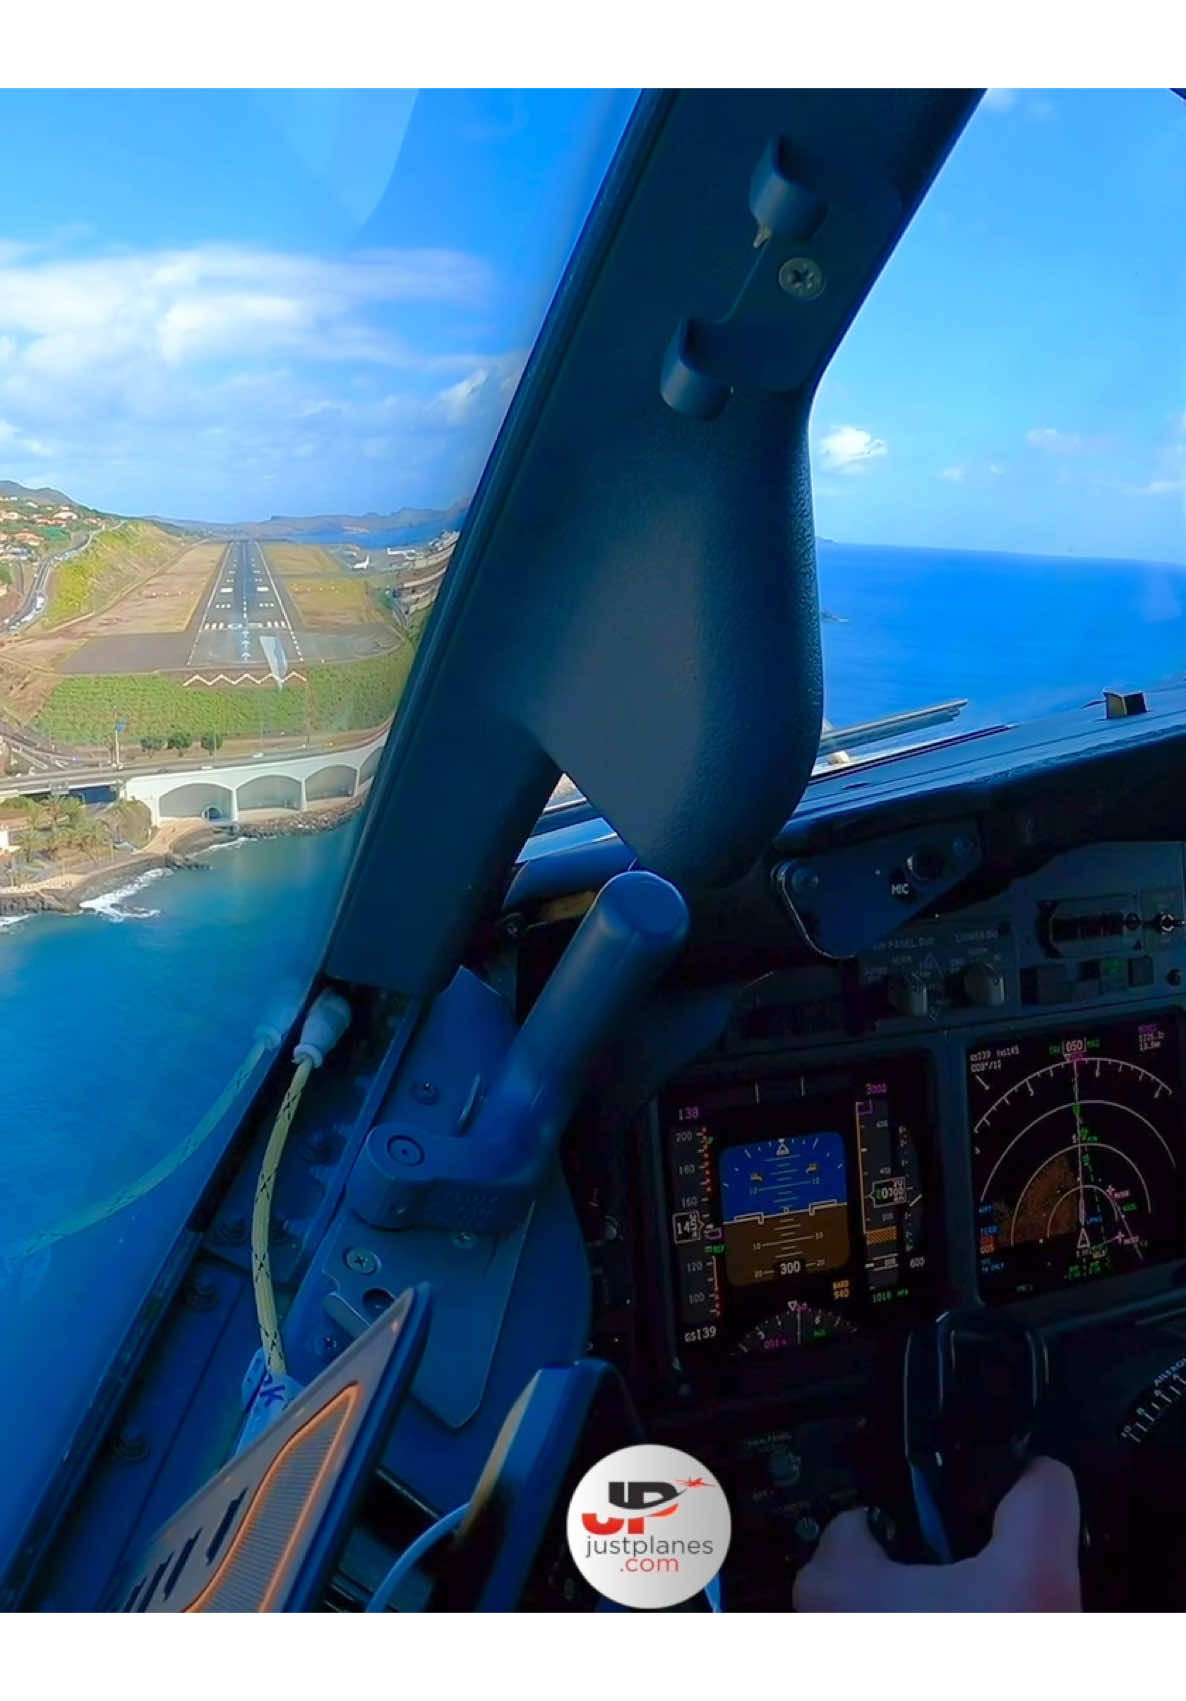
254 351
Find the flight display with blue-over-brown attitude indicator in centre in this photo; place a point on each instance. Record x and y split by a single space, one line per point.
799 1207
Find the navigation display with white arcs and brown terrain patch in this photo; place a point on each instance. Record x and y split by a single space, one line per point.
1078 1156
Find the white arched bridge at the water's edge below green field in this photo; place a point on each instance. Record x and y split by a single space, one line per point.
222 792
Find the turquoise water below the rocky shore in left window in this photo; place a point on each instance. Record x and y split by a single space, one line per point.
120 1030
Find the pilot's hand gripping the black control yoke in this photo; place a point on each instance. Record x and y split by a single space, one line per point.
1030 1566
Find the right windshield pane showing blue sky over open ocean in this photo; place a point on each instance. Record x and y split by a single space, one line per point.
1000 445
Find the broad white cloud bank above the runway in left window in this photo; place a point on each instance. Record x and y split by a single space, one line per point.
185 382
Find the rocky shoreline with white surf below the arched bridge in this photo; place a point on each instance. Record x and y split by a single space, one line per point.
176 848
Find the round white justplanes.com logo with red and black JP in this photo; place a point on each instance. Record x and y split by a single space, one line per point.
649 1527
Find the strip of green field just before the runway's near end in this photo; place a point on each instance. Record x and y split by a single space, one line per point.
345 697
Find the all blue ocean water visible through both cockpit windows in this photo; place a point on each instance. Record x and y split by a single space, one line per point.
122 1027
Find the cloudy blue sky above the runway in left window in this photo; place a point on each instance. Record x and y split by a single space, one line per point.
224 305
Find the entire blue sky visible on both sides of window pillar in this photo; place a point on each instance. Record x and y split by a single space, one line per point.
222 305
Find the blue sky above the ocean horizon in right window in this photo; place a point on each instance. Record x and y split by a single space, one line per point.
1018 377
